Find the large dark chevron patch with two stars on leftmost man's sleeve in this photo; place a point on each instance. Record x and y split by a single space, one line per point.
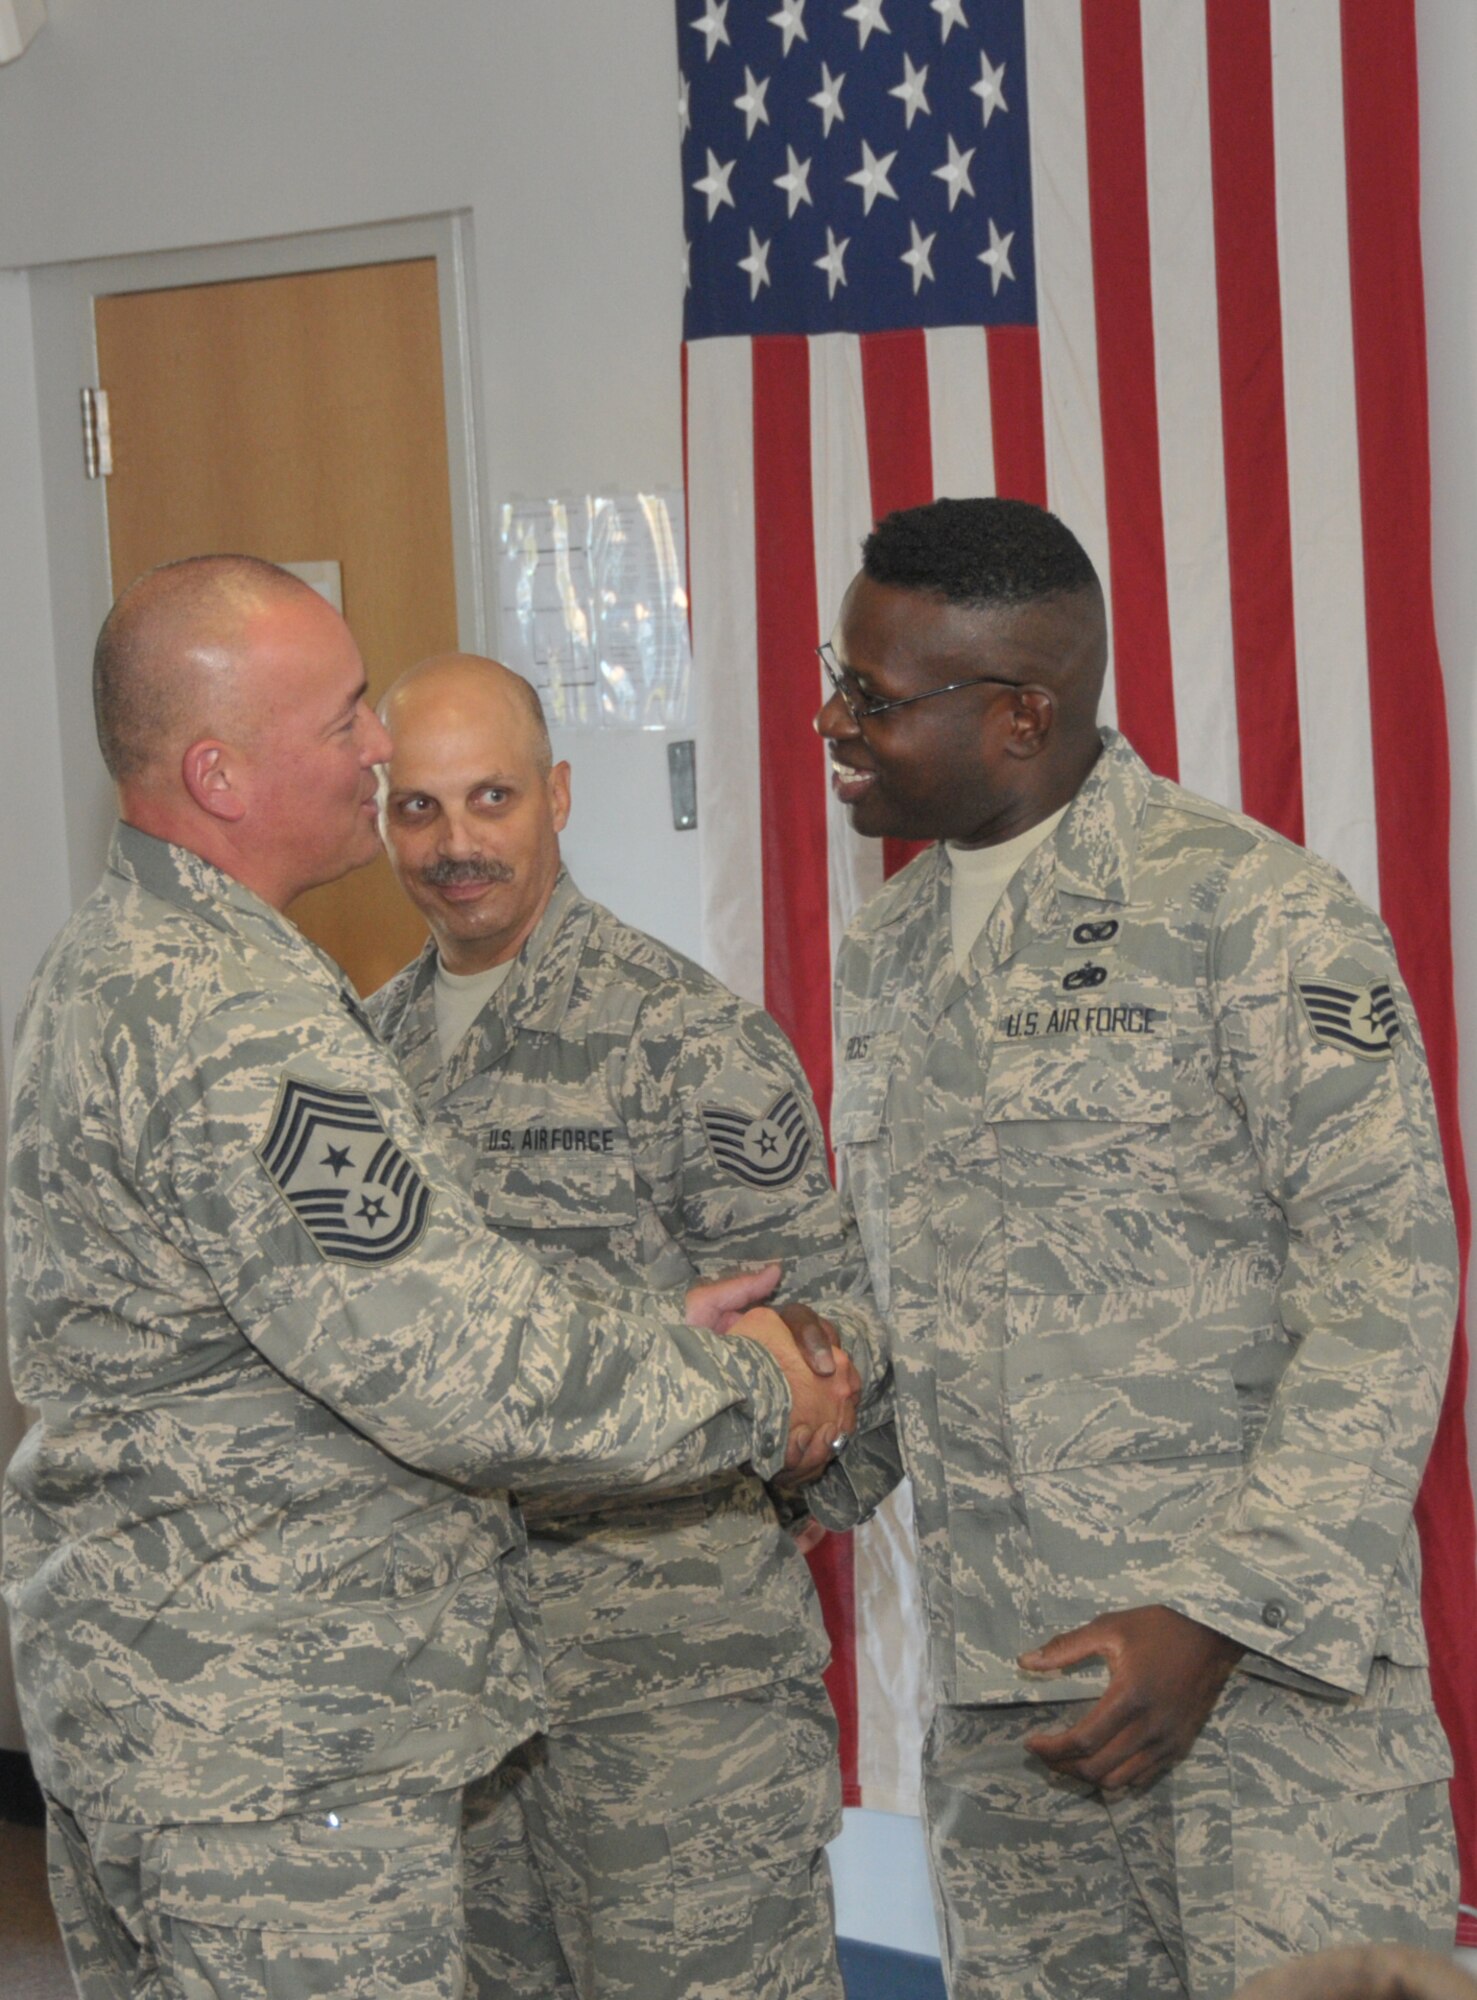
343 1177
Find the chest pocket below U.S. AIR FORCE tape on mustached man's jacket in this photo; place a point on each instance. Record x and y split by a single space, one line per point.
557 1189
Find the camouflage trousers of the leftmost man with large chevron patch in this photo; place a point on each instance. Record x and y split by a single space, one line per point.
361 1905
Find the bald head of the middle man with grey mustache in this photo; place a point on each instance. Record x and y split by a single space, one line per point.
473 811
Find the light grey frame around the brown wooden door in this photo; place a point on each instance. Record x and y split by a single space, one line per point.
77 511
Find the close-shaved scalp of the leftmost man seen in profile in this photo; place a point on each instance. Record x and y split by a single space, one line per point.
163 665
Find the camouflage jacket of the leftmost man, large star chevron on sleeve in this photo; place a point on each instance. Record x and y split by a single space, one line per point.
251 1561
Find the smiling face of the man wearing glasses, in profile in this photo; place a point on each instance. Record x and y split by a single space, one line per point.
978 765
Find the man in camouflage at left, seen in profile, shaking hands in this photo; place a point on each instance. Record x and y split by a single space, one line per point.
267 1611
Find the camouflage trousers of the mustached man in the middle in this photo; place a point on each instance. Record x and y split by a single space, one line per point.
675 1855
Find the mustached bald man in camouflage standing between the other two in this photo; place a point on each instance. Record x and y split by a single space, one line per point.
635 1123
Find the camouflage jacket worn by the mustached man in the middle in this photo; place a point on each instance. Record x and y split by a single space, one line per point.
637 1125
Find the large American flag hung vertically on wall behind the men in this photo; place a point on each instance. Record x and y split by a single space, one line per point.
1154 265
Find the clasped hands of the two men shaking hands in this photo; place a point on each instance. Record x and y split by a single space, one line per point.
824 1383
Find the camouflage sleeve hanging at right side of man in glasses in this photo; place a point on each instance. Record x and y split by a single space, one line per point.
1320 1053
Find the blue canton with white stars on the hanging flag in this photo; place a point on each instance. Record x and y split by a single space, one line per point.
856 169
